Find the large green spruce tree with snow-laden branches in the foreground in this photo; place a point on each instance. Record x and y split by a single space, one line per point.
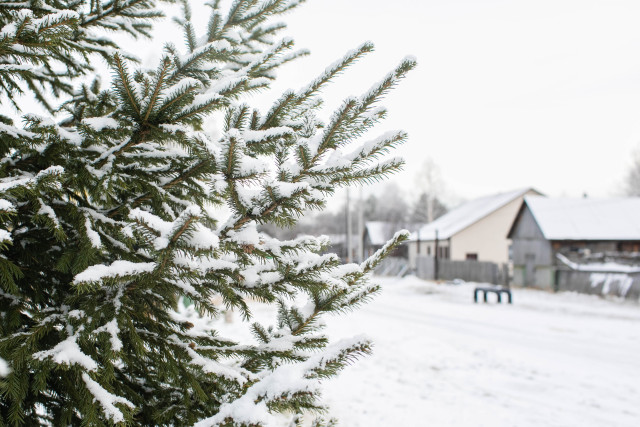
114 210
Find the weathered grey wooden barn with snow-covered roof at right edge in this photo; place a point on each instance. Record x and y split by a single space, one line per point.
573 228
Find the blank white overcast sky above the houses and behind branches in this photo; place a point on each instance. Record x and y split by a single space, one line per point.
507 93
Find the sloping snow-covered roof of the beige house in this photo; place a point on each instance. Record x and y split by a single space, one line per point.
466 214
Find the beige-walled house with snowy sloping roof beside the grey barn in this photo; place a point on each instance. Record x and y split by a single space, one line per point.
476 230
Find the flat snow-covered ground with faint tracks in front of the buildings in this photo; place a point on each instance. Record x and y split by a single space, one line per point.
441 360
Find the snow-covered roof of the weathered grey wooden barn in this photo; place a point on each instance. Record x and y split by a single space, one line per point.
586 218
